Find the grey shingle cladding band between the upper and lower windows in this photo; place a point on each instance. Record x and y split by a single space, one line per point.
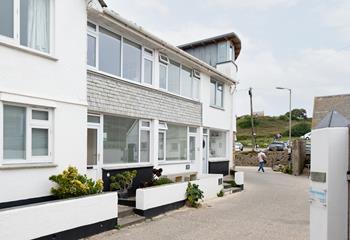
111 95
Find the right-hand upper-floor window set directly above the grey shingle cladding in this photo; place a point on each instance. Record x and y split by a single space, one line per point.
178 79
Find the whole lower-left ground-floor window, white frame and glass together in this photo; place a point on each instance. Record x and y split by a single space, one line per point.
26 134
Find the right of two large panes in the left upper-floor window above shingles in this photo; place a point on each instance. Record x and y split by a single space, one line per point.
131 61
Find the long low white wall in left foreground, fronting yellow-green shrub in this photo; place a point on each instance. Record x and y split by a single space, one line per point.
43 219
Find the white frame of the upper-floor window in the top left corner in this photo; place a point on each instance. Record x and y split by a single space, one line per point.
16 40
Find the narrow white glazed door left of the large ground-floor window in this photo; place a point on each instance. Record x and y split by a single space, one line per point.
93 153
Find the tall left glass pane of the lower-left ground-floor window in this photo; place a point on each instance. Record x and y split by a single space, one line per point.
14 132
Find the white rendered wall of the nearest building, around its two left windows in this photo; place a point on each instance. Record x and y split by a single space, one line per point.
58 82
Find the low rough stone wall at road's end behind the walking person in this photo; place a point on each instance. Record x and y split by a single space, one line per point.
274 158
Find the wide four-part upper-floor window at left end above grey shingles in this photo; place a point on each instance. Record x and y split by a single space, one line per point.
118 56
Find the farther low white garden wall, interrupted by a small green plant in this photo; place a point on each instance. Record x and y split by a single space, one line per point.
152 197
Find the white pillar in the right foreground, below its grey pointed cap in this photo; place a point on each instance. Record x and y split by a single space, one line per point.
329 154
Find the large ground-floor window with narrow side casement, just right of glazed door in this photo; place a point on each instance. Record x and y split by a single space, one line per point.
125 140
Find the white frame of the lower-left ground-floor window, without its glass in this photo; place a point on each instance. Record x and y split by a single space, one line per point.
30 124
